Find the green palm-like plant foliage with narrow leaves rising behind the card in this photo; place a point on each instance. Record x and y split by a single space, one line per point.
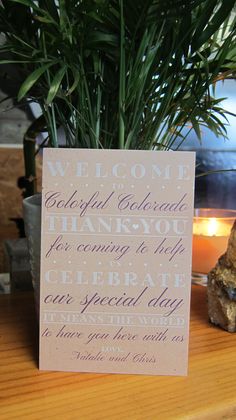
119 74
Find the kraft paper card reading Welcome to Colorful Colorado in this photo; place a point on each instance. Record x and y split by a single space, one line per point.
116 261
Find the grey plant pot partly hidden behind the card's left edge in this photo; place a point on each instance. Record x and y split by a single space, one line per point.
32 219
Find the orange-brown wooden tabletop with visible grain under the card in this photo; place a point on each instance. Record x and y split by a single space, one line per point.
209 391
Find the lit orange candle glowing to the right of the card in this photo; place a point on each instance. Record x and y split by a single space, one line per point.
211 230
